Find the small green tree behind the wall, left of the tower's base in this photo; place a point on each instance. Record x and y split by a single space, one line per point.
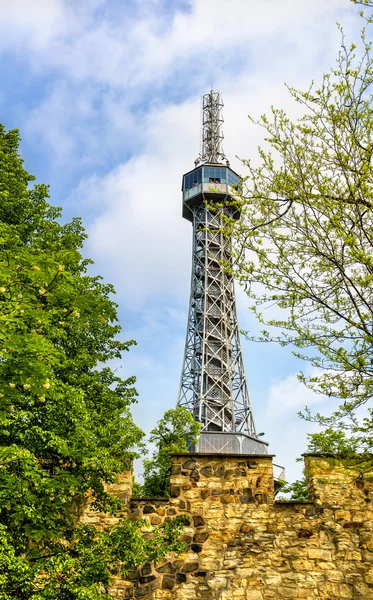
173 433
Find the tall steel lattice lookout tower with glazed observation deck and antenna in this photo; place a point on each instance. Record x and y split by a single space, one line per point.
213 384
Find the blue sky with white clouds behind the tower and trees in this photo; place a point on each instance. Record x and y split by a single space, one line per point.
107 96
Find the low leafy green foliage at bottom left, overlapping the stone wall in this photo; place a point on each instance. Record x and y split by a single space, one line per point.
83 567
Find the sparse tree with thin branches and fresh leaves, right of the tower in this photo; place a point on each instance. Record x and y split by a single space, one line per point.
304 242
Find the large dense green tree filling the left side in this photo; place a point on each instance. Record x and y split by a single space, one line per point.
65 426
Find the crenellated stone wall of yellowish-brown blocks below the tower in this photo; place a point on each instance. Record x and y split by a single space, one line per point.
241 544
